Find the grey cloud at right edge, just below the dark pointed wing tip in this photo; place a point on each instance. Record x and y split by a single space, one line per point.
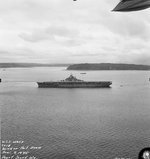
127 26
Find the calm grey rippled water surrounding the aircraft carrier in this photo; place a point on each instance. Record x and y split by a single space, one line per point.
77 123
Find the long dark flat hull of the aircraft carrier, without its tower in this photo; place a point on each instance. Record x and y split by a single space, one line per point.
103 84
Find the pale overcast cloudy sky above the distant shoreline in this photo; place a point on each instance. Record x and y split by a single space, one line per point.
67 31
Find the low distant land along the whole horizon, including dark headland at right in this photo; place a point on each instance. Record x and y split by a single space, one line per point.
82 66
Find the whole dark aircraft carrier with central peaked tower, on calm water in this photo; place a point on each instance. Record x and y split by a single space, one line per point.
73 82
